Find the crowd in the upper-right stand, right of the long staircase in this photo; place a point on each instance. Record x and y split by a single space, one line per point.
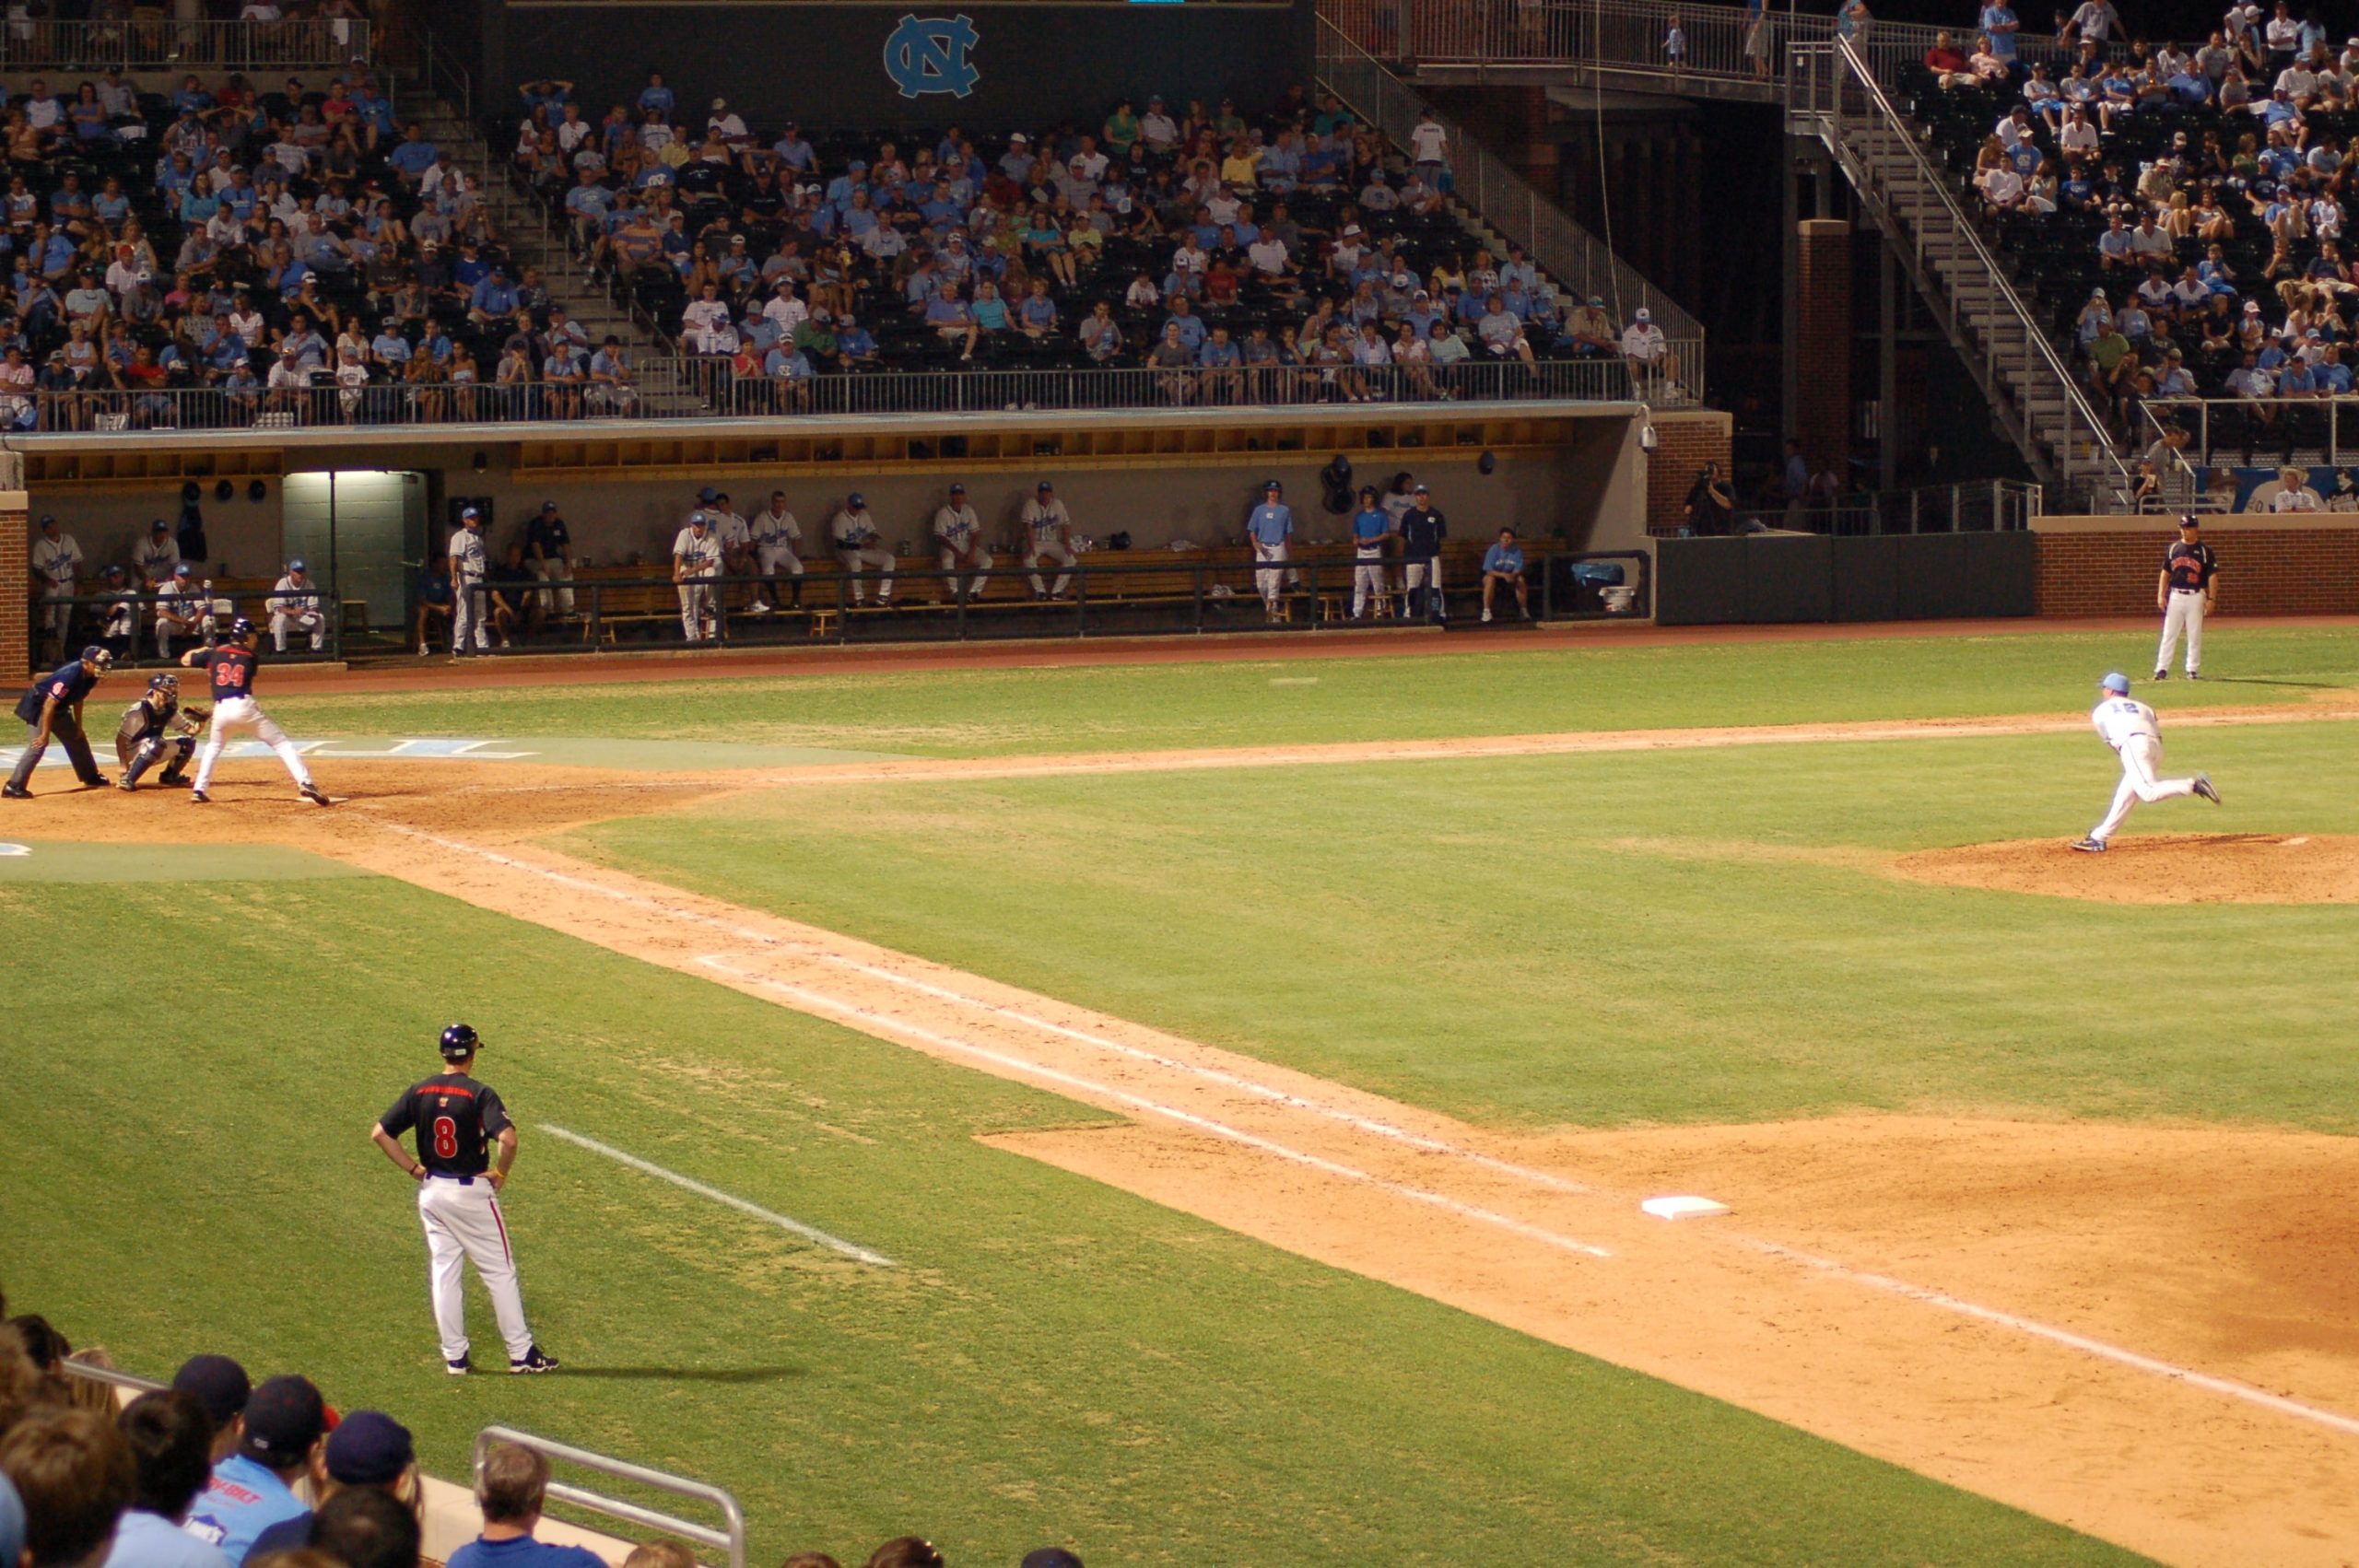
2176 204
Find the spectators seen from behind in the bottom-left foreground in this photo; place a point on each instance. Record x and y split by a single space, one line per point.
221 1473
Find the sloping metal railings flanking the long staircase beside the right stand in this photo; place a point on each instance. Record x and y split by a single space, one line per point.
1855 119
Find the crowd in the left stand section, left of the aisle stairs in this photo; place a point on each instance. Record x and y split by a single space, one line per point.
291 251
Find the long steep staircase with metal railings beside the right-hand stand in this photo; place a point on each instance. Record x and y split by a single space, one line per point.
1910 199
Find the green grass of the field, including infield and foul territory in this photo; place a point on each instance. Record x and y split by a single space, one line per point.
1603 940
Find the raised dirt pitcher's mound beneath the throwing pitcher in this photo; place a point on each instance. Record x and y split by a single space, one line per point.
2160 869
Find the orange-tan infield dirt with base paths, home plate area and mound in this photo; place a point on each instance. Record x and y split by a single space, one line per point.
2228 1253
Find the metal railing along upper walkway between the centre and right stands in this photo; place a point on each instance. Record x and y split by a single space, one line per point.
1605 39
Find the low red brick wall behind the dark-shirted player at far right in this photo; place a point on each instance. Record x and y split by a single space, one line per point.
2263 572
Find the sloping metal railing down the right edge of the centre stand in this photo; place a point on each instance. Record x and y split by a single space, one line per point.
1504 199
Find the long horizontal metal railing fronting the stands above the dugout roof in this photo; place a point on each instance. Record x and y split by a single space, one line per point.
711 390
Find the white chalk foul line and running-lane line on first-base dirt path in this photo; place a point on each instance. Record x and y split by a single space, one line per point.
1874 1282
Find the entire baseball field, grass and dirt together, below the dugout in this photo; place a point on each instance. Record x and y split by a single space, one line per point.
1200 1112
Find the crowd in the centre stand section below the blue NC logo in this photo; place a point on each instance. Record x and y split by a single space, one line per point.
1289 253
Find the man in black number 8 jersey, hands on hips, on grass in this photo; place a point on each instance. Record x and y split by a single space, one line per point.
459 1199
